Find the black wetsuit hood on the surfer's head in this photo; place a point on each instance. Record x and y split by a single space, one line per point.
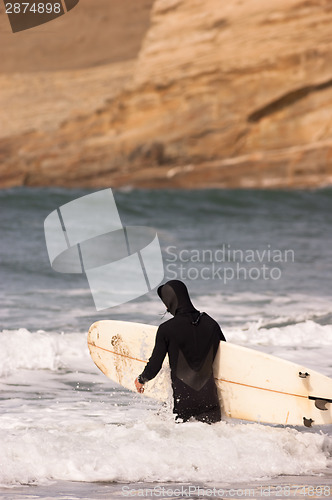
175 296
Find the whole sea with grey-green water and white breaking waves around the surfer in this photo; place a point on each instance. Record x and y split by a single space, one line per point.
259 262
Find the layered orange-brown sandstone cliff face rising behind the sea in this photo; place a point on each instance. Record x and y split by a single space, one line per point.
222 94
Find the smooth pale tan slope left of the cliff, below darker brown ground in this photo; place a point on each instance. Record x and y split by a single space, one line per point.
43 101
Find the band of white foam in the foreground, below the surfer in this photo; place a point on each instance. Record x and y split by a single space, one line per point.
157 450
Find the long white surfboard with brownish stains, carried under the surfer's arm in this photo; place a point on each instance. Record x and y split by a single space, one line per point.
251 385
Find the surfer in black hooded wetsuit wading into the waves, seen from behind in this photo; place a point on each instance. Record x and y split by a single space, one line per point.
191 340
